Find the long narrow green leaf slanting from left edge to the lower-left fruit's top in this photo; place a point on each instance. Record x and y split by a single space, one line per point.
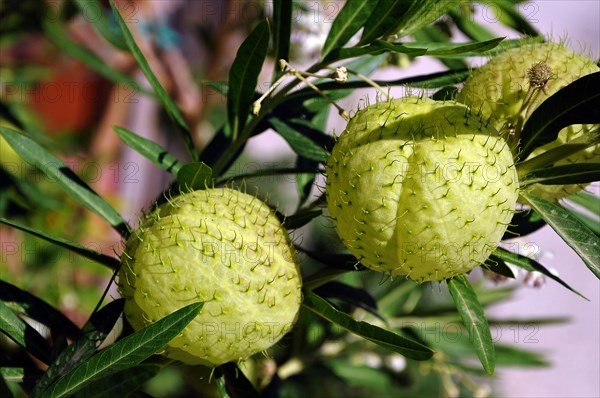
57 171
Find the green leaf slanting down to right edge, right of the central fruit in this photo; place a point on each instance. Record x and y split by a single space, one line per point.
575 234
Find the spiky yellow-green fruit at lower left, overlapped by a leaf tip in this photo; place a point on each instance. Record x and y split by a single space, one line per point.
226 249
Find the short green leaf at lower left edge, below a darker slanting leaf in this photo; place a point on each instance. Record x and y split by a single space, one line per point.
24 335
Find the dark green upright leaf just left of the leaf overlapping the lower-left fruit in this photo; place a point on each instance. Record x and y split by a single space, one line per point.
94 333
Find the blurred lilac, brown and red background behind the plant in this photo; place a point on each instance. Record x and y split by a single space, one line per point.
190 43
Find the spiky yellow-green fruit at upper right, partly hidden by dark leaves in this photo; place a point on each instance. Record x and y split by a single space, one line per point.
513 84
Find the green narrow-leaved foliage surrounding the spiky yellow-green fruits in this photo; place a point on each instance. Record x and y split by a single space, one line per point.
361 315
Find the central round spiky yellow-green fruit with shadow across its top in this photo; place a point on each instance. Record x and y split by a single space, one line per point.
420 188
